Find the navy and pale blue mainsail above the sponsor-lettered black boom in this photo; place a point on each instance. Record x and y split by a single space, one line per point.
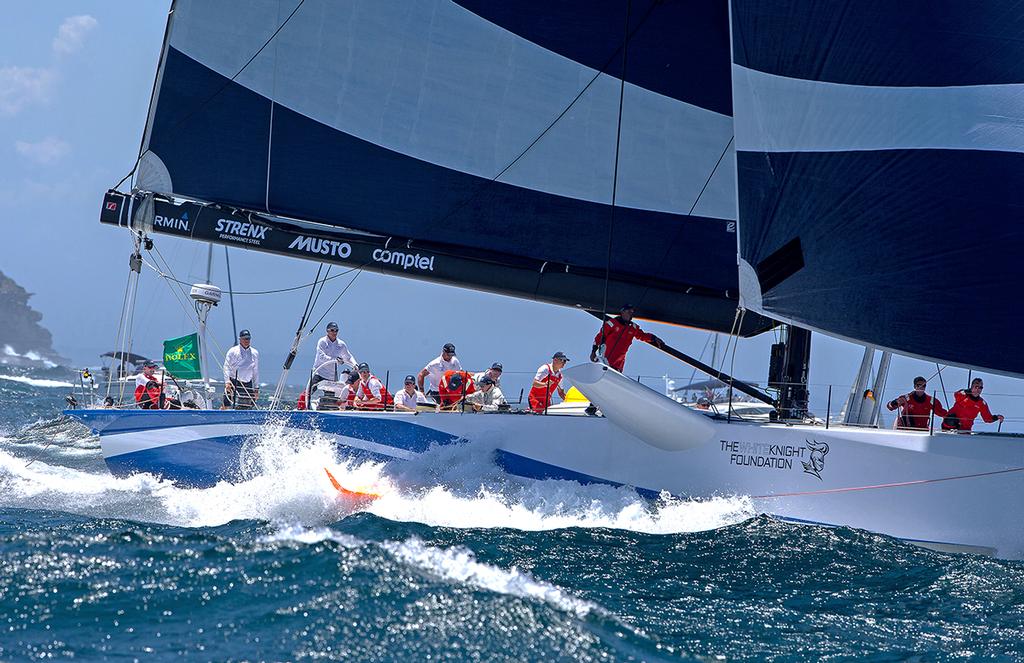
492 134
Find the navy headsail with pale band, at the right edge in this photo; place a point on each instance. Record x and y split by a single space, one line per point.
881 173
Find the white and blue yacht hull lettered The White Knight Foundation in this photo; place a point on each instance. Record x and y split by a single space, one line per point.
947 491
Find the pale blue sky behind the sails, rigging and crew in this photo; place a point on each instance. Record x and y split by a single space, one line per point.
75 85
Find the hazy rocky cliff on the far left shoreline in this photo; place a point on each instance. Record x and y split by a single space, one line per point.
23 341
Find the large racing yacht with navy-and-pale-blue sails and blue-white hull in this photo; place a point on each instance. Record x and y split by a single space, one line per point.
621 151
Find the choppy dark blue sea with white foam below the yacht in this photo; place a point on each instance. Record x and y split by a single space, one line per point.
454 562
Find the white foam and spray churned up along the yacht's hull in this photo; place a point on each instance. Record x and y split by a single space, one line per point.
285 483
